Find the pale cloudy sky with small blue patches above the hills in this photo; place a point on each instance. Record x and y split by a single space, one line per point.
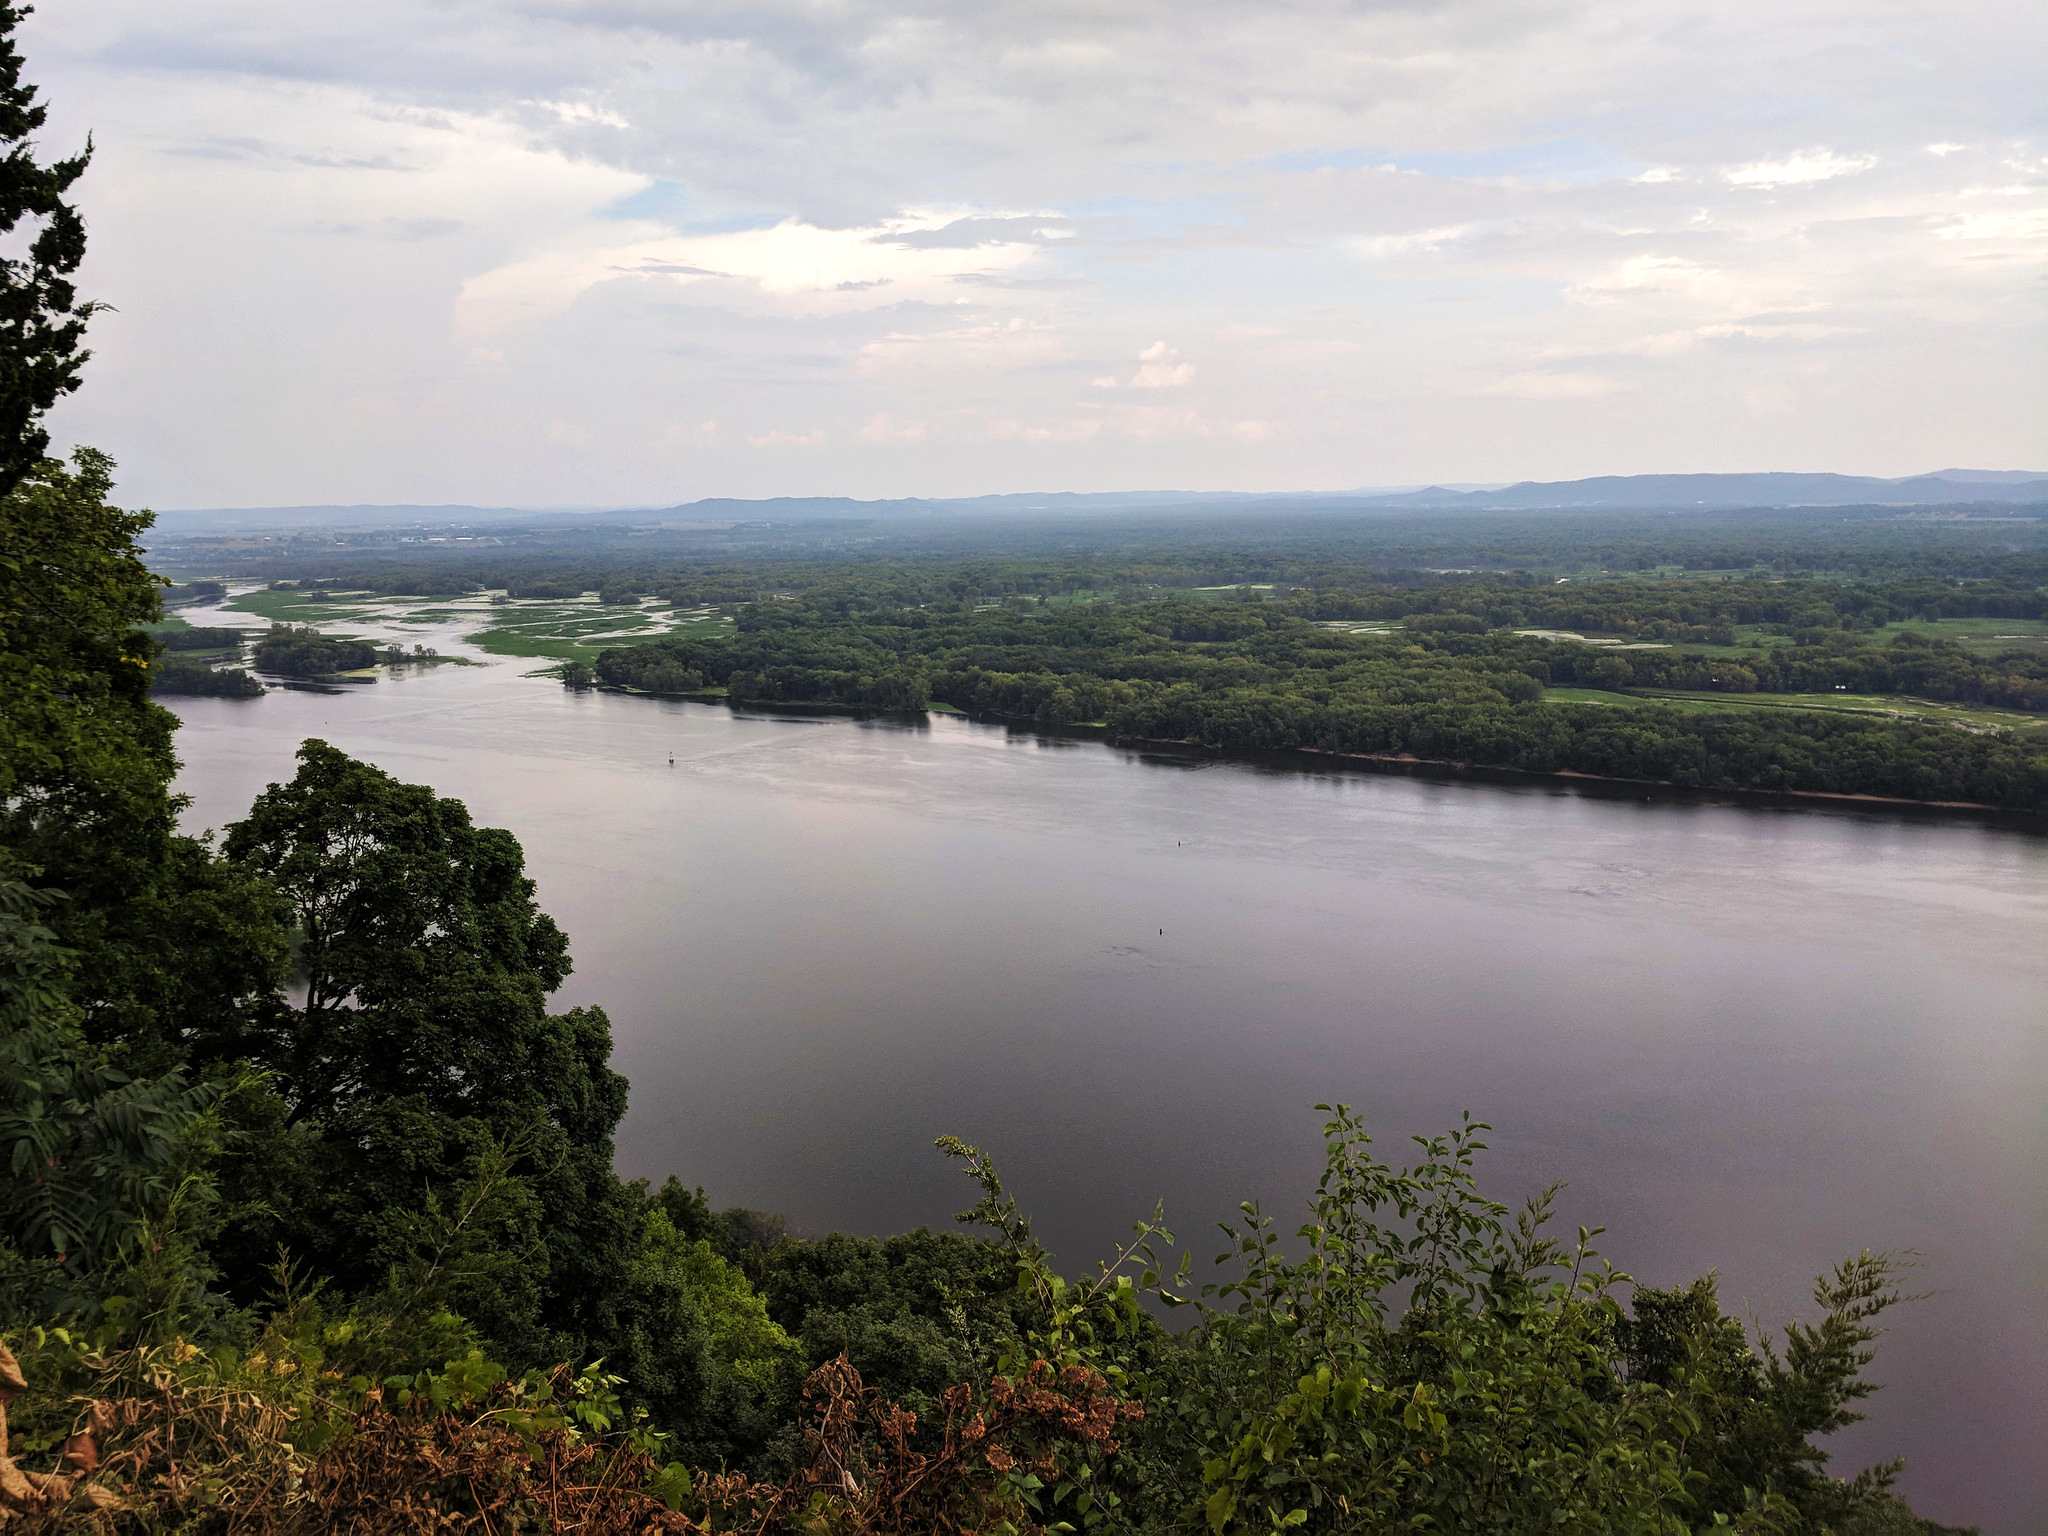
568 253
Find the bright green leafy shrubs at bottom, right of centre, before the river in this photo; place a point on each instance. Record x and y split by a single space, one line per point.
1416 1357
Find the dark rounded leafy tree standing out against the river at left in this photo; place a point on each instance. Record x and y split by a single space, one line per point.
423 1041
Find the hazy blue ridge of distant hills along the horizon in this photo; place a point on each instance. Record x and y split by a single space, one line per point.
1641 493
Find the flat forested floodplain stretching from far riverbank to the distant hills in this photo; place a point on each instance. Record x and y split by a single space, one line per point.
1838 652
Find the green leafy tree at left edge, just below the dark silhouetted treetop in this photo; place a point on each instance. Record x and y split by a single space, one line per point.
169 941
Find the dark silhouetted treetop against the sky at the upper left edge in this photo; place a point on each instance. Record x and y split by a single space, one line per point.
42 316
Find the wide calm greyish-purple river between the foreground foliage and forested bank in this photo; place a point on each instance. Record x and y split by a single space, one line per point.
1752 1041
